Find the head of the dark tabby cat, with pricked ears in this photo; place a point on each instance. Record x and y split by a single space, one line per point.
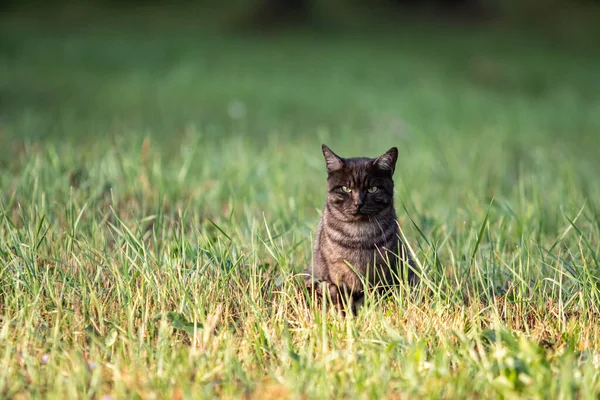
359 187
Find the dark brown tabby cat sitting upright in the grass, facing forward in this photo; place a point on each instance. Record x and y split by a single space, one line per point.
358 234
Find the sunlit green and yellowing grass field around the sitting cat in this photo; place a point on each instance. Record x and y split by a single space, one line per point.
160 185
